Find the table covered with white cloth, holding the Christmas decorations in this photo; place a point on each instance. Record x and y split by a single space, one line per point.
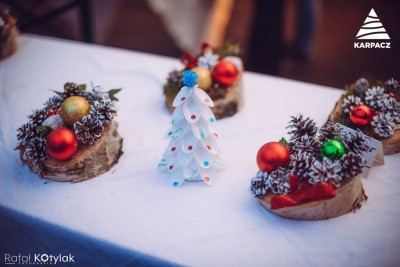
135 208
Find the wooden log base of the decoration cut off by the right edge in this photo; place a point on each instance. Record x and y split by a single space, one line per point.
391 145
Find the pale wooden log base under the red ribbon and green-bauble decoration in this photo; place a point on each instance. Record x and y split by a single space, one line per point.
348 198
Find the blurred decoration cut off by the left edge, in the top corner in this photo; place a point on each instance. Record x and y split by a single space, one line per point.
8 32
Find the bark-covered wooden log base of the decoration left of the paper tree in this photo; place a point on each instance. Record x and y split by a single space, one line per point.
88 162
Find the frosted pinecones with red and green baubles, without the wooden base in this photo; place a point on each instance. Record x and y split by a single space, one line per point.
310 157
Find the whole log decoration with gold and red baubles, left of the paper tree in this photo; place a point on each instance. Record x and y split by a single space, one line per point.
74 137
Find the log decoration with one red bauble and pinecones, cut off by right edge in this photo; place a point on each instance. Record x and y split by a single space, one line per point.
374 109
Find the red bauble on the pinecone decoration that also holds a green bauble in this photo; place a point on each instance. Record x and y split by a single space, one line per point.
272 155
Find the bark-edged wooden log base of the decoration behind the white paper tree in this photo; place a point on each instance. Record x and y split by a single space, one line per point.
224 107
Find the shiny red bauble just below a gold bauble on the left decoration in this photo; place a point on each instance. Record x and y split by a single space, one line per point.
61 144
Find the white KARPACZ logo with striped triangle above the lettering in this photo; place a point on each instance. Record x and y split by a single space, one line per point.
372 29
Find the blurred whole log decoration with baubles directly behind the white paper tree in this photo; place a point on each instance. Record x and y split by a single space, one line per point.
219 73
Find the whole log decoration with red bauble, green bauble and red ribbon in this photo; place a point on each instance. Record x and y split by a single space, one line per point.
311 176
